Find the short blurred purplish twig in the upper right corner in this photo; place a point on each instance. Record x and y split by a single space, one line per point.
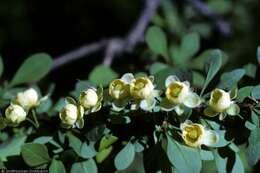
222 25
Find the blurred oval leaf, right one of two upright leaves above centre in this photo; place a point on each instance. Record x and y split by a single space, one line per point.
190 45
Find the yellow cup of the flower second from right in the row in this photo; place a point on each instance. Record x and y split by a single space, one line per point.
176 92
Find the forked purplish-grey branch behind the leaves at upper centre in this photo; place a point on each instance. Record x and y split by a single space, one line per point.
114 46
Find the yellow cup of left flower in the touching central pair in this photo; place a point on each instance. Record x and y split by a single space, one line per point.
118 89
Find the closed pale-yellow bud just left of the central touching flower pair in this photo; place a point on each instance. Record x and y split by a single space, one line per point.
88 98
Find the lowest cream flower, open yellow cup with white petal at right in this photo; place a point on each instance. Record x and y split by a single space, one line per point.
196 135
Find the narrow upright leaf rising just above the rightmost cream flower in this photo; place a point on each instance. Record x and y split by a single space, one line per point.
213 66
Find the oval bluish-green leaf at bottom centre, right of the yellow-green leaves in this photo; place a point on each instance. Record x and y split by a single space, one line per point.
125 157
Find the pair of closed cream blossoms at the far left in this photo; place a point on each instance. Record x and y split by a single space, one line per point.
24 101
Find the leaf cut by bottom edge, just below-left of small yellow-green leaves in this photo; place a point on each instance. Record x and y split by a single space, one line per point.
88 166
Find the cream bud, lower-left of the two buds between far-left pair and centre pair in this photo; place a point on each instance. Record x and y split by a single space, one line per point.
69 114
